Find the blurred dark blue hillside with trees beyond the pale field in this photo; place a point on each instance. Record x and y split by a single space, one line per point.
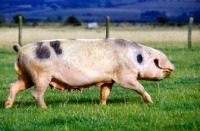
170 12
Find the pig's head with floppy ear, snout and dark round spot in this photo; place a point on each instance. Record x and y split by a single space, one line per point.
153 64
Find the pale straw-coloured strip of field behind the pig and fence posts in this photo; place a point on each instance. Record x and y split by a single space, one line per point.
153 36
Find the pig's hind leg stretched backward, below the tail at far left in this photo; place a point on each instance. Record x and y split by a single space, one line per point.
15 88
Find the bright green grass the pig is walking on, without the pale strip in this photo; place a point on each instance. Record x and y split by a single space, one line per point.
176 102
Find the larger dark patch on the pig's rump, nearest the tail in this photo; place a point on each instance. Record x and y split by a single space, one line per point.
42 52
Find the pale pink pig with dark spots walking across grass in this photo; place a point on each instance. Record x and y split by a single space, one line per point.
79 63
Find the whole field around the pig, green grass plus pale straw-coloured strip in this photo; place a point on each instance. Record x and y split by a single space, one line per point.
176 99
